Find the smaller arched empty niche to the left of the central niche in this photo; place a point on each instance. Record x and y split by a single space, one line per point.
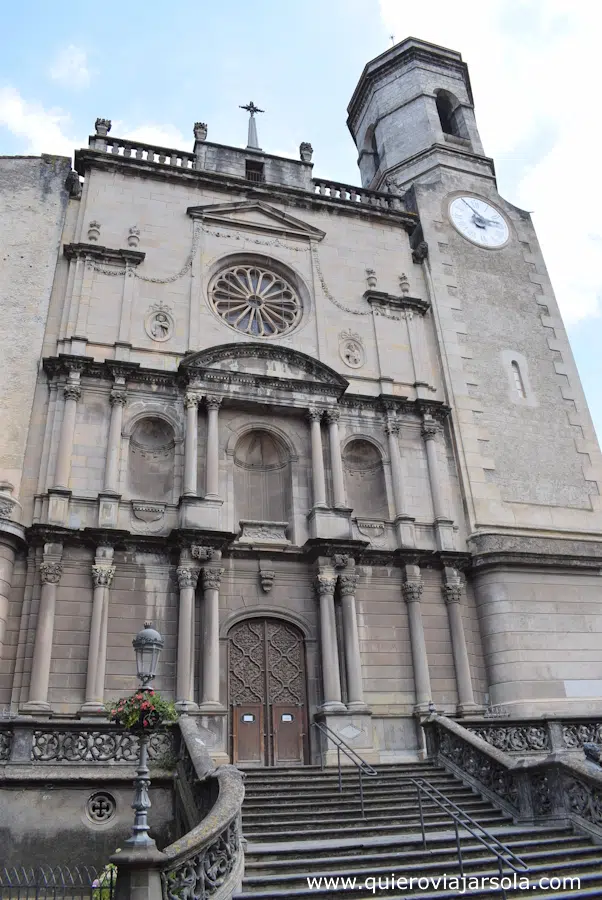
151 460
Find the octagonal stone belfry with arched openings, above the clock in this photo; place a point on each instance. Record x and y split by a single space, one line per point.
412 110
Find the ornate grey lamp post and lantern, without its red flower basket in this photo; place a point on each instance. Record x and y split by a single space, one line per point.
147 644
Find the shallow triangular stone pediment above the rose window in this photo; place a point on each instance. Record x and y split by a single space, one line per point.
257 216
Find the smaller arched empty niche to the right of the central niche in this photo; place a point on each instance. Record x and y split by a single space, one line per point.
365 480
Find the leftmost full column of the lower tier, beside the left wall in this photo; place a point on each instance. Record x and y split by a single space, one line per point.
51 570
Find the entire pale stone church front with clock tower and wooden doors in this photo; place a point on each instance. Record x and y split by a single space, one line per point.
330 440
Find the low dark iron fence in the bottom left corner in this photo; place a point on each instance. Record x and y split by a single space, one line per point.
58 883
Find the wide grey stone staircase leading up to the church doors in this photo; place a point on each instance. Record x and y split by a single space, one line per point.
297 824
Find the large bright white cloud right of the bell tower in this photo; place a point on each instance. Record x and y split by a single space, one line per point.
533 66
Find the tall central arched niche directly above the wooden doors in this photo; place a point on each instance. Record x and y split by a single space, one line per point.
262 478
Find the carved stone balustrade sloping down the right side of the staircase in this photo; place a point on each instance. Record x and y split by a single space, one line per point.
556 789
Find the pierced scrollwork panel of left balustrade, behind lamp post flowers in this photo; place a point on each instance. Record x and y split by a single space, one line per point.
54 746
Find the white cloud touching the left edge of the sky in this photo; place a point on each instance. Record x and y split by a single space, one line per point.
41 130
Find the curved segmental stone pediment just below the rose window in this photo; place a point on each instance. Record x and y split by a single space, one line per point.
264 360
